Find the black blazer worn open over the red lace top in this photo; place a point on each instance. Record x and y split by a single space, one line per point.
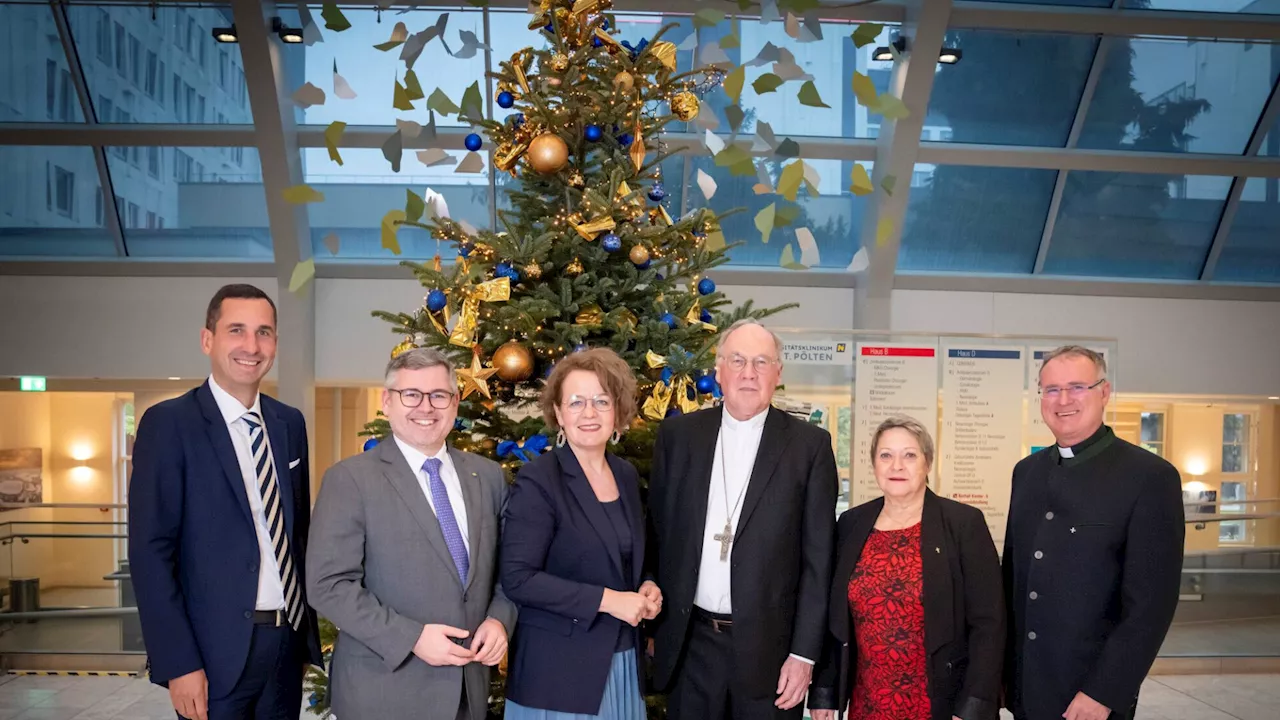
964 612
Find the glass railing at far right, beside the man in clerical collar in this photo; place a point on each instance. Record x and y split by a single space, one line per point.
1231 591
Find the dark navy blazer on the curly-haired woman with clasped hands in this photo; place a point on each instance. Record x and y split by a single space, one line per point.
559 554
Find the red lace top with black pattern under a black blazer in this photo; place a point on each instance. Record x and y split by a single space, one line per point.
885 595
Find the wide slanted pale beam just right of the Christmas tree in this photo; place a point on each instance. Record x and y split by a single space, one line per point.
898 152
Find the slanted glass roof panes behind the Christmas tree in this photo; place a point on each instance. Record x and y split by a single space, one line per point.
1121 102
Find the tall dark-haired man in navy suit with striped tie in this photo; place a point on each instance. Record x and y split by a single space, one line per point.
220 512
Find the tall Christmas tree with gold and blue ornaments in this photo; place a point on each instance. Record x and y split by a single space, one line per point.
587 257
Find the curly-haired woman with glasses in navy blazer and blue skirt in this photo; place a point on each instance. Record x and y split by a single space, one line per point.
573 549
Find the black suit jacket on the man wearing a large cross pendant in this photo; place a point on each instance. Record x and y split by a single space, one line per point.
781 553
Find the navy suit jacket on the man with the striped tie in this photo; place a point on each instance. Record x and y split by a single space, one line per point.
194 553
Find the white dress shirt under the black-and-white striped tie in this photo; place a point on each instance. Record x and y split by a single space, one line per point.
271 590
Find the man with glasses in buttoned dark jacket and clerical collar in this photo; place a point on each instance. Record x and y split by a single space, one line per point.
1094 555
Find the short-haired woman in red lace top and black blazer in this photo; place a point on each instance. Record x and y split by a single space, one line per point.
917 614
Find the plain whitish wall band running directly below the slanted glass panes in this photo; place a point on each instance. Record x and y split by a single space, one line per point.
148 329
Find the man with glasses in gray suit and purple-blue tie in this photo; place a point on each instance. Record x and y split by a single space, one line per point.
404 558
